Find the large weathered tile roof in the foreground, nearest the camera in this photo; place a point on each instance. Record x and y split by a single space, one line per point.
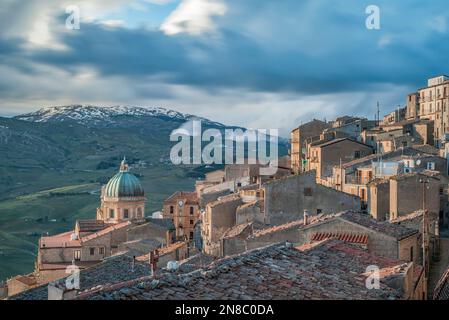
330 270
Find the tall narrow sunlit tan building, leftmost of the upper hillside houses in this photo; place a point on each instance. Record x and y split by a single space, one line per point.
297 138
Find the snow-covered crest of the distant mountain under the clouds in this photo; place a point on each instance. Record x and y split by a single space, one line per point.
96 115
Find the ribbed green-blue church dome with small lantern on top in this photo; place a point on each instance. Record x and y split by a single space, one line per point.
124 184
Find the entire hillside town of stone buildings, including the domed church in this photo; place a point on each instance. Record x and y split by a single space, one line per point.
352 195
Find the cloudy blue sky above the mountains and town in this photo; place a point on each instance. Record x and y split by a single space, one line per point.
253 63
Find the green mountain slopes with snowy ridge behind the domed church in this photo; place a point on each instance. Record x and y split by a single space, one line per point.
55 160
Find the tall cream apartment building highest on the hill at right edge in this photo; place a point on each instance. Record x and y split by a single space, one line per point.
431 103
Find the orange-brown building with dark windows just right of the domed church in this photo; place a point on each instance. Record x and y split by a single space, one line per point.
183 209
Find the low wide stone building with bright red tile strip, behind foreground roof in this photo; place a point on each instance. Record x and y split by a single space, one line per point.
384 239
